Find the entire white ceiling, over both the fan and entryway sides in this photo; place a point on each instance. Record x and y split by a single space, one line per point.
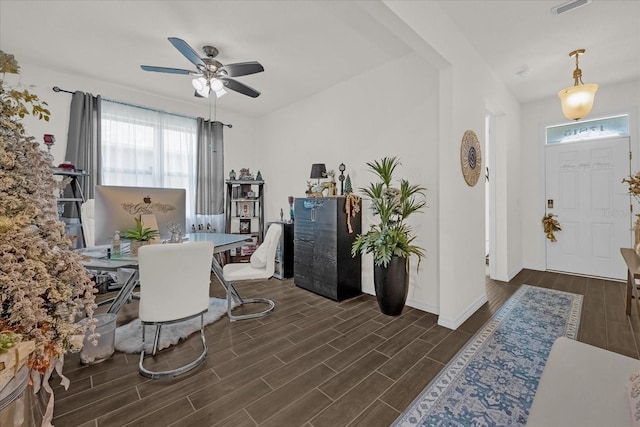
306 46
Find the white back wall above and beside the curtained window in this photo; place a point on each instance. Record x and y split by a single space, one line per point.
40 81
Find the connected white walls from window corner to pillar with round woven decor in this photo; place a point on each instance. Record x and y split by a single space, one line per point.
417 108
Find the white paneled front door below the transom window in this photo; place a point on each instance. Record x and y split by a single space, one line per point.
584 189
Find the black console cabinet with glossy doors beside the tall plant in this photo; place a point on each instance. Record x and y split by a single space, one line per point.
322 248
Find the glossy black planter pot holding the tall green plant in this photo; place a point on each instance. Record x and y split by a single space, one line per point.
392 285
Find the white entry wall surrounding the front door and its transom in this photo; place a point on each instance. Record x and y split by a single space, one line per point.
610 100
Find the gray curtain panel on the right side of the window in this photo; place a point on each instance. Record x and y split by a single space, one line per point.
210 168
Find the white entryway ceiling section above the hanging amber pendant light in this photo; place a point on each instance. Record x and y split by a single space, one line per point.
515 34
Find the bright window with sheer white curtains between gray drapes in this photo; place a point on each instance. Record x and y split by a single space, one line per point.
147 148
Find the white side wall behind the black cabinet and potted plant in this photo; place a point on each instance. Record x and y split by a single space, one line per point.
389 111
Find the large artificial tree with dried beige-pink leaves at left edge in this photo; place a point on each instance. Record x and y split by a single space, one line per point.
43 285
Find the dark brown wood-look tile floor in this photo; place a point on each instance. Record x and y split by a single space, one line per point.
312 362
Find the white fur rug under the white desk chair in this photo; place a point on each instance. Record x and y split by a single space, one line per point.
129 336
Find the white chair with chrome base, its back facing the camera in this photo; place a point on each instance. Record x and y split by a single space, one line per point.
174 287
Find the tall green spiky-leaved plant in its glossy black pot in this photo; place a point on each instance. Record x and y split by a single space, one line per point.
391 239
